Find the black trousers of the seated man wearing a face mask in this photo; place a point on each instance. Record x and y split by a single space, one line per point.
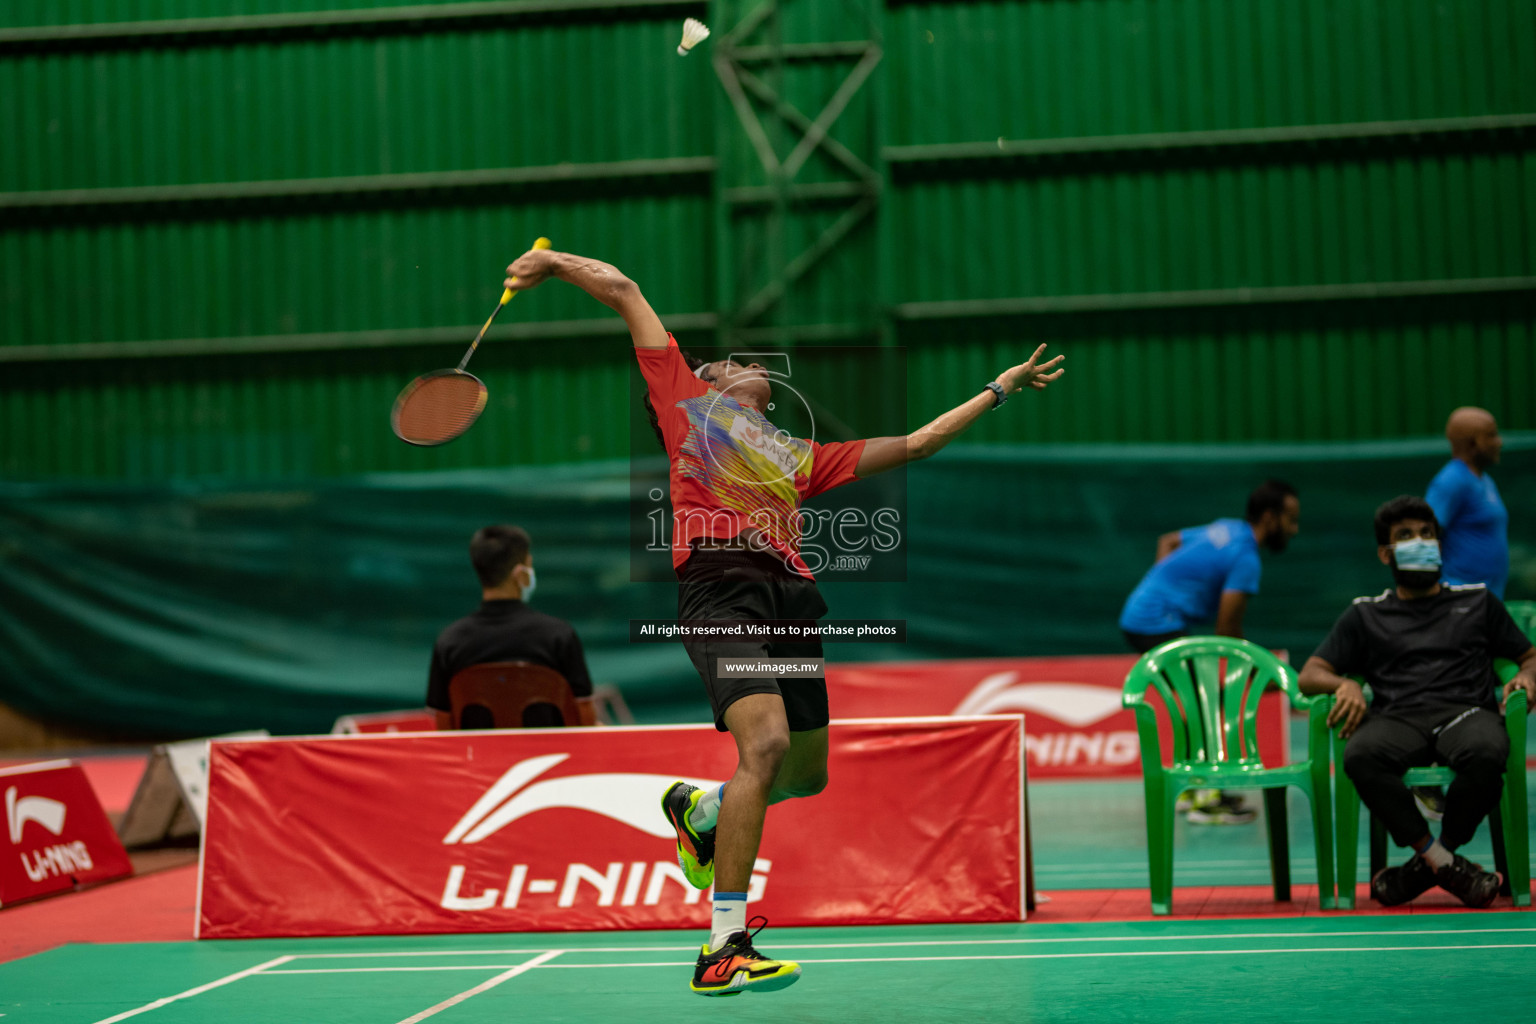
1469 741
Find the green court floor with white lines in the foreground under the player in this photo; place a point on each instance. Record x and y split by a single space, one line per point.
1455 966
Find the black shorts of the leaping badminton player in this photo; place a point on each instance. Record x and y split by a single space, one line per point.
743 586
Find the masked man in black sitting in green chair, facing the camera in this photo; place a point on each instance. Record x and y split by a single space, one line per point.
1428 653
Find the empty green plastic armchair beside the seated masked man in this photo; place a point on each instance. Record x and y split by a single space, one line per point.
1211 689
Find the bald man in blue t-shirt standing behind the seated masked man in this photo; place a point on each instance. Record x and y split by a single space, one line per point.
1475 527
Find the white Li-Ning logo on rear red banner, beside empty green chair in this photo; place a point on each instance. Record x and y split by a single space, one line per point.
1076 705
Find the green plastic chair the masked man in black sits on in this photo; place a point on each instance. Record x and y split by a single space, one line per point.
1509 824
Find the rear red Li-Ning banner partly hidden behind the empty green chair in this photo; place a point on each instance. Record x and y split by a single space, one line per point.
1078 728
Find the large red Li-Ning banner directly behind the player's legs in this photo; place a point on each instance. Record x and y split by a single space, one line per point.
561 830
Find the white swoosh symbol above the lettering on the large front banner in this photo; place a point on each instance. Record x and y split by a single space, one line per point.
629 798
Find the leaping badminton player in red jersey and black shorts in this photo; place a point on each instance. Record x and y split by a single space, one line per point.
737 487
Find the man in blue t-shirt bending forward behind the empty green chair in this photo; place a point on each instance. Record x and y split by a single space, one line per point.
1207 575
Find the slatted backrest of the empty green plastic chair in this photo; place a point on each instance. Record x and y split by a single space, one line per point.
1211 689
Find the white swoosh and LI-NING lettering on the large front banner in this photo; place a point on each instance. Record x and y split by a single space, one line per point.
629 798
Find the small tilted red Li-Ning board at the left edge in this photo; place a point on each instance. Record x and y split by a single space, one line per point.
59 836
